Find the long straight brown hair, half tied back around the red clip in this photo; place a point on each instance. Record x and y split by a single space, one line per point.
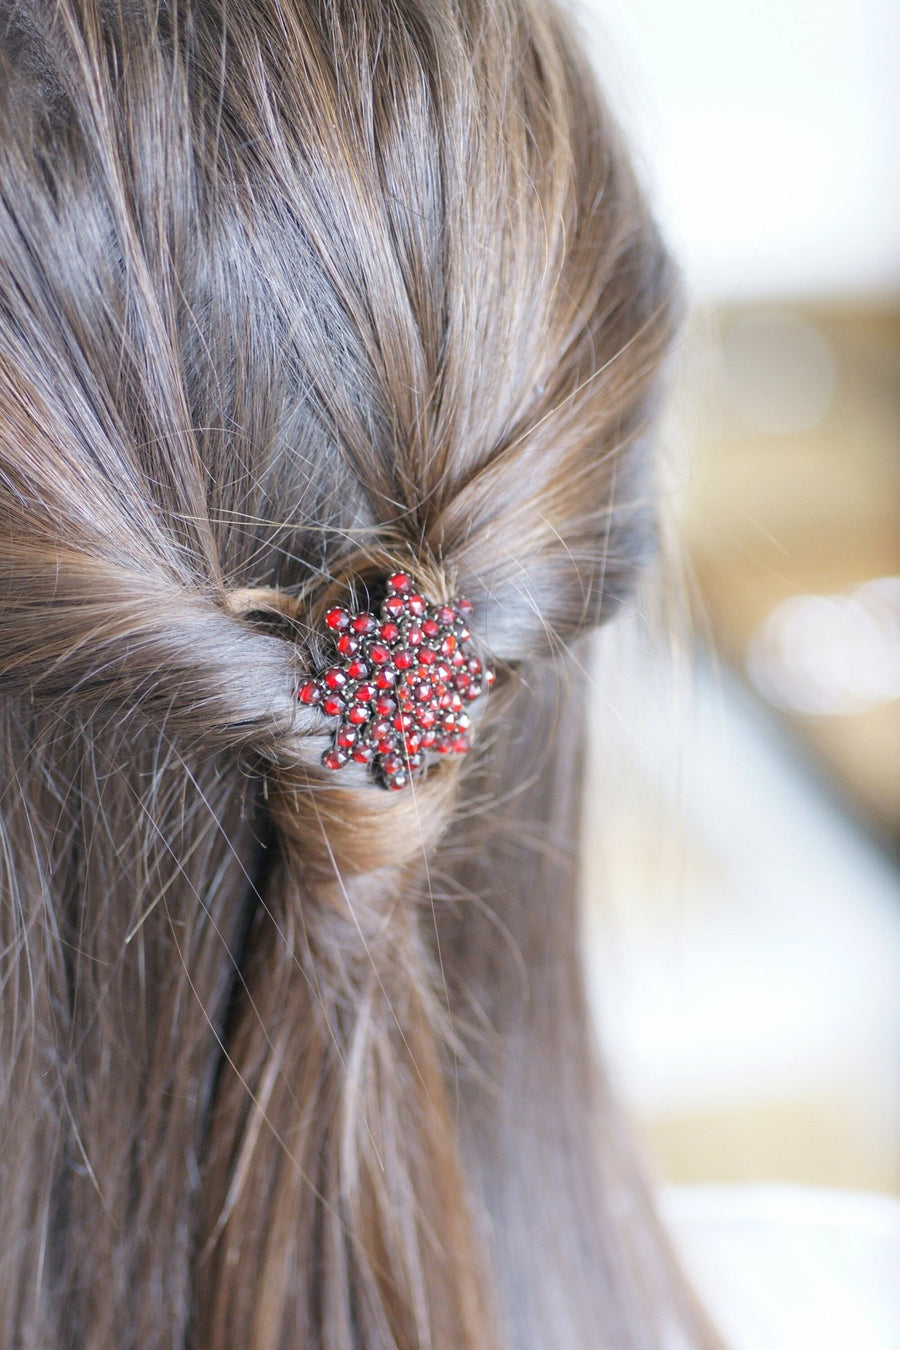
293 291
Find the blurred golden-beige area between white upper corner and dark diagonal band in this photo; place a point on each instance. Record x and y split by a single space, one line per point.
794 491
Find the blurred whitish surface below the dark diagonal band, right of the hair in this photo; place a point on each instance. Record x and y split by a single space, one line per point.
744 946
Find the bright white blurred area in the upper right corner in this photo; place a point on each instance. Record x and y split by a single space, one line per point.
768 133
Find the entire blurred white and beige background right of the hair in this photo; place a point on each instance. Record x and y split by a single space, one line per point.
744 817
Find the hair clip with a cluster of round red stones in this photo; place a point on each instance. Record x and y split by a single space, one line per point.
403 685
